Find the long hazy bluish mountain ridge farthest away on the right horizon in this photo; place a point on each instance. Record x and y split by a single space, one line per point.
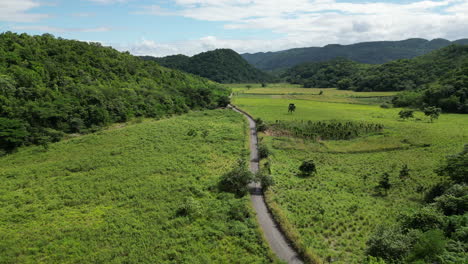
367 52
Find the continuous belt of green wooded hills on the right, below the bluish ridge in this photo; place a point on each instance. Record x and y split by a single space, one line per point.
435 79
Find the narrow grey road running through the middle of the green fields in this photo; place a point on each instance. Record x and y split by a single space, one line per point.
273 234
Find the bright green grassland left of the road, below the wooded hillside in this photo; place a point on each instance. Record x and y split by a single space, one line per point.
136 193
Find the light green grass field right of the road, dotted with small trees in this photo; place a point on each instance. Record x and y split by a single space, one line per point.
334 212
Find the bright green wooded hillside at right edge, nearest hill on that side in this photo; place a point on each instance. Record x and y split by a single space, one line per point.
439 78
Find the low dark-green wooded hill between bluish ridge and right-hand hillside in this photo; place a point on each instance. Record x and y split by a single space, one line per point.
323 74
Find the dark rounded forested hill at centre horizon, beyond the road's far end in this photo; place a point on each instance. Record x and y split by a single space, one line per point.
221 65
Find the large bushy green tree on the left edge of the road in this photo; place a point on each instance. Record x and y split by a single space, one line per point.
237 180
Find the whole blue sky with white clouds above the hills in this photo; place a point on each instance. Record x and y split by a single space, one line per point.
165 27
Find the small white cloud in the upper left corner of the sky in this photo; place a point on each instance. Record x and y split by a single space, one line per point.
17 11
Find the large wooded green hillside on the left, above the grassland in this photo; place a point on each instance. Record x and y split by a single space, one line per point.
51 86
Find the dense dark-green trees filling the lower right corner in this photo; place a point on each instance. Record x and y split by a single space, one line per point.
436 233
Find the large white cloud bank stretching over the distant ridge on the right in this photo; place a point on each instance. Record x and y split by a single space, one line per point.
313 23
